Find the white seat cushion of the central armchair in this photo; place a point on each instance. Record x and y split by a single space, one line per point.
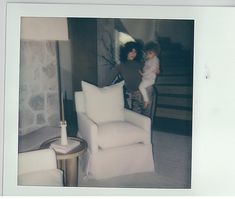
115 134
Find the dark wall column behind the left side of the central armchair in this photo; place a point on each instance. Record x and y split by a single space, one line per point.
83 36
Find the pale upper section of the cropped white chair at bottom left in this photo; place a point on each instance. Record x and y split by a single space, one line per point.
38 160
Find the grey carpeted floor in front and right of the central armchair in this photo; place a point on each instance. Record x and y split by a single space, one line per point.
172 157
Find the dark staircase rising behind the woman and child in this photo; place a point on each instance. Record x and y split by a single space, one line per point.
174 85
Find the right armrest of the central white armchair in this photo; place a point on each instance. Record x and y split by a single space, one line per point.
142 121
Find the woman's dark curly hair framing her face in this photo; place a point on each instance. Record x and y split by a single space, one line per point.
124 50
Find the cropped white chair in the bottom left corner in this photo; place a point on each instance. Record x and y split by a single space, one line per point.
39 168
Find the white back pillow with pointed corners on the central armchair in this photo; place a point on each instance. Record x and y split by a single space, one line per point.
104 104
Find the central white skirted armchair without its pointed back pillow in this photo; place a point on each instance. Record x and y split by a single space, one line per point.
117 147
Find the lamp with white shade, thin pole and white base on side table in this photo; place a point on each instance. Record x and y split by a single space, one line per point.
51 29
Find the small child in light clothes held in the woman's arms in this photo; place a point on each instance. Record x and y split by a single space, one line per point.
150 70
